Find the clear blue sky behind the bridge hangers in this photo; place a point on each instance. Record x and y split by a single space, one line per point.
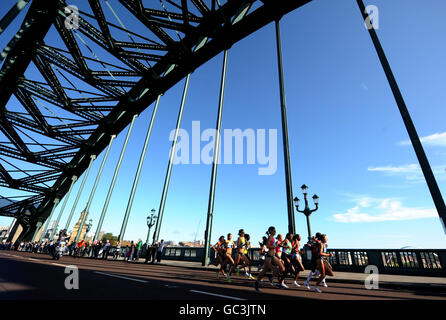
347 138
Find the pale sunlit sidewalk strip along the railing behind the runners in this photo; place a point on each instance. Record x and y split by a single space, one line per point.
385 280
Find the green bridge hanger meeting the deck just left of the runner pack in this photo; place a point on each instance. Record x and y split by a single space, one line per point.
217 142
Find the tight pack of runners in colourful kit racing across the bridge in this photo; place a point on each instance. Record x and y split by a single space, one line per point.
281 257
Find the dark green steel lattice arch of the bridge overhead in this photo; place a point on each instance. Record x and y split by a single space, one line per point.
204 29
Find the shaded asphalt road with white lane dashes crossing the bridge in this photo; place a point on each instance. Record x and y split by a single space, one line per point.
37 276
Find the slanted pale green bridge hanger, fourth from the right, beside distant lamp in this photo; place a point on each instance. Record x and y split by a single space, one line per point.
171 158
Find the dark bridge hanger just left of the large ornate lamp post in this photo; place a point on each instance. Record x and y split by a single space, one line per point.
286 147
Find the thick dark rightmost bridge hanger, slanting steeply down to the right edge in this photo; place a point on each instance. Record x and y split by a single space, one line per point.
410 127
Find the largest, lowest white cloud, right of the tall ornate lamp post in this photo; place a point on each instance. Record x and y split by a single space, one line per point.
382 210
